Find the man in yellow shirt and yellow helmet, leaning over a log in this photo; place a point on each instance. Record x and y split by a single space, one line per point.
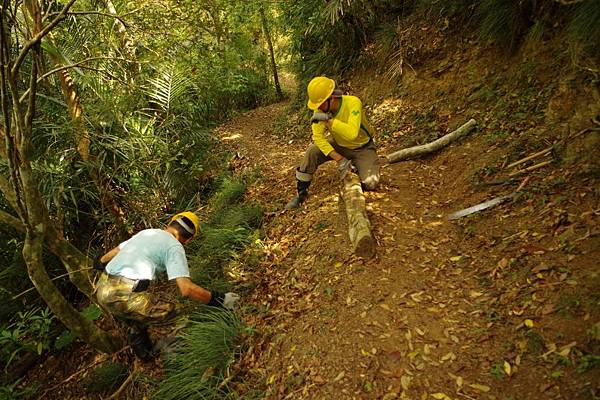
350 140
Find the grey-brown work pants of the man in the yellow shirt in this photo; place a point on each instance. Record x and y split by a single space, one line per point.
365 160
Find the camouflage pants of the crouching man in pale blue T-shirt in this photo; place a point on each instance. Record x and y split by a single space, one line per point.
116 296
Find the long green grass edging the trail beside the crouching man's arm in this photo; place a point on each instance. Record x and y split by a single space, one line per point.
197 368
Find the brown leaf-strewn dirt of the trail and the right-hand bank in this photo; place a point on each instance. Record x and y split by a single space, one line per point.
502 304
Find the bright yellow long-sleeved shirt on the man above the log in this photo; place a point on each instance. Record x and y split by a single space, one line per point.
350 127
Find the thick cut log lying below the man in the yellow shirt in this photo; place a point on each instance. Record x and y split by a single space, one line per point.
359 227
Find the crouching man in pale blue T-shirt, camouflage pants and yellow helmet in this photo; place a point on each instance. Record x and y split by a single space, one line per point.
134 264
